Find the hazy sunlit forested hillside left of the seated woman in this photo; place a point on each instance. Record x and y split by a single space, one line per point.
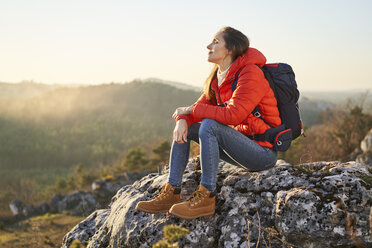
90 124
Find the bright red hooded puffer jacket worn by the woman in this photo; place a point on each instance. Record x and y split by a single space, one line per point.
252 90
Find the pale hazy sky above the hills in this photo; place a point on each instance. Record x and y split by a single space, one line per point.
327 42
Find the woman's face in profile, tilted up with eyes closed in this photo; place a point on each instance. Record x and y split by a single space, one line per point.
217 50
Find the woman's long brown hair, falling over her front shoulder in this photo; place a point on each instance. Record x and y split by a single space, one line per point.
237 43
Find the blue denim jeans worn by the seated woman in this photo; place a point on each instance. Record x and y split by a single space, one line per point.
218 141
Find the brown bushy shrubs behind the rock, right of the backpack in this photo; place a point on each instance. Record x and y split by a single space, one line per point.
337 138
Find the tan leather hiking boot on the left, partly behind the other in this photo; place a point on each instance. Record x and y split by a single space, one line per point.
162 202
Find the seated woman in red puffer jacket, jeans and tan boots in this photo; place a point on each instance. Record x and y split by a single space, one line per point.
222 123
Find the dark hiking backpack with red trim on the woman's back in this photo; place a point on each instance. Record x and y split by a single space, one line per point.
282 81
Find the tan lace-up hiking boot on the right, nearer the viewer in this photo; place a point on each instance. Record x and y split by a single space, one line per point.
200 203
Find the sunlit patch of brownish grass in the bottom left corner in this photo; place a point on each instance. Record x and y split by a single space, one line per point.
41 231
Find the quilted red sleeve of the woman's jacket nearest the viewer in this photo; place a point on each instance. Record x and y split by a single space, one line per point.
251 88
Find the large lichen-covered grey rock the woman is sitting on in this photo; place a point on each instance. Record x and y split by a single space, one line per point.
323 204
